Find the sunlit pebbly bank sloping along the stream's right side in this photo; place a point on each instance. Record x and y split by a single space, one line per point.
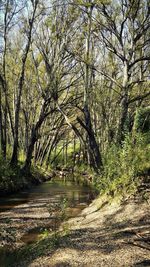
106 233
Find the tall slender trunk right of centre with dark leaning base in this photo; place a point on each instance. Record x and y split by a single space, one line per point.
92 146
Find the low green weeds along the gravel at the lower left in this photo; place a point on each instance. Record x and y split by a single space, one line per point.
47 241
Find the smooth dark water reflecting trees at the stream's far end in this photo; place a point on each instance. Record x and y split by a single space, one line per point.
55 190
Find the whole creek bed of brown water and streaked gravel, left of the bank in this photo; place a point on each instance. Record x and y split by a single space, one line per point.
28 217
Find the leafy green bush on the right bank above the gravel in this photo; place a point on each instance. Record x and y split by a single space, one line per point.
123 165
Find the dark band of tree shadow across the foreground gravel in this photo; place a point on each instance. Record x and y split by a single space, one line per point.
111 238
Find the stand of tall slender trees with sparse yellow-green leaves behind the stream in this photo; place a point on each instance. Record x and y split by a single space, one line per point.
83 65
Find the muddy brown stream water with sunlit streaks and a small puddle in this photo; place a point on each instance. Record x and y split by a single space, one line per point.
42 205
